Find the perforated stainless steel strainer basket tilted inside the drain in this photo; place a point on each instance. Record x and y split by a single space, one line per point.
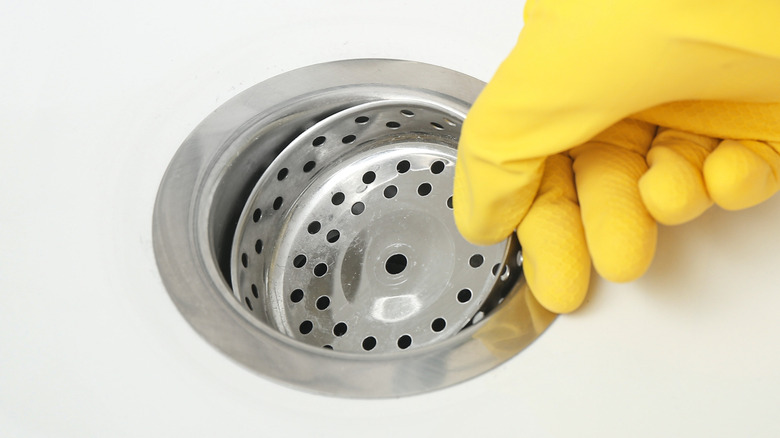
348 241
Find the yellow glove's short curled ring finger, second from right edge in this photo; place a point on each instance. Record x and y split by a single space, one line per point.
673 188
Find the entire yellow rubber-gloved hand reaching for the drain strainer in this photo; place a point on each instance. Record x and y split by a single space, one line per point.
651 109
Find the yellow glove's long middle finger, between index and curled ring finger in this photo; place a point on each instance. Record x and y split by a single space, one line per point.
620 233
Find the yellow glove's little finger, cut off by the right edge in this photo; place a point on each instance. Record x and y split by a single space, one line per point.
742 173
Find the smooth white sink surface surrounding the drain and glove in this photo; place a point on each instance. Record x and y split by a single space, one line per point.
95 97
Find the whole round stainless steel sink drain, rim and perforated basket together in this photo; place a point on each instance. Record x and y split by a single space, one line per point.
215 199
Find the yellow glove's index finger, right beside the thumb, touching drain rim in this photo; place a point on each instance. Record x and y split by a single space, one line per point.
555 257
